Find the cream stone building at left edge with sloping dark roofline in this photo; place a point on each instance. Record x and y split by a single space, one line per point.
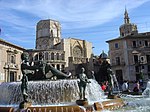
10 61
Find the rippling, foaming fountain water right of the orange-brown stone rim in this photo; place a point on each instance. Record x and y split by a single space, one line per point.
137 103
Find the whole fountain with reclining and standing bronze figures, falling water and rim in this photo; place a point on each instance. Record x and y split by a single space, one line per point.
61 95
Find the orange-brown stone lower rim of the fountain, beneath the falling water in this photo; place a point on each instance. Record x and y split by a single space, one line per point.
112 104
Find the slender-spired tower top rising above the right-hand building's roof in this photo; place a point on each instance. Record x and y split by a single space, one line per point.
127 28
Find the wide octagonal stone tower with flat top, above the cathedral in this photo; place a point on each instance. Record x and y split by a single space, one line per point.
48 34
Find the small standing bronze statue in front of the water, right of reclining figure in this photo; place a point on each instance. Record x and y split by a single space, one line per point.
83 83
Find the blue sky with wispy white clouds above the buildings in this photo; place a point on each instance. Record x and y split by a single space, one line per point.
93 20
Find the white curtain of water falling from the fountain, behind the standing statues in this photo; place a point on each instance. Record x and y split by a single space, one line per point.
48 92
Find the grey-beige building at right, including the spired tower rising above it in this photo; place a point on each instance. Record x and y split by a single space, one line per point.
130 53
